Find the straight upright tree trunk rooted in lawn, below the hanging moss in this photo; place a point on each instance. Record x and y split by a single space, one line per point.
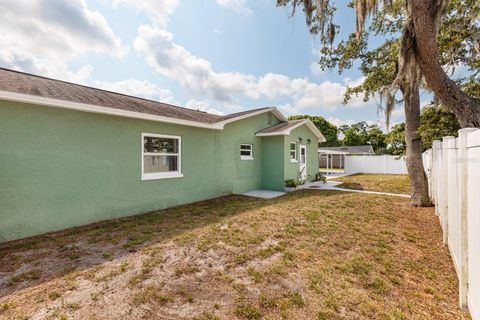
418 178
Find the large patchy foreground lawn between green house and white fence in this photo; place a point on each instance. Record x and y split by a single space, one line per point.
307 255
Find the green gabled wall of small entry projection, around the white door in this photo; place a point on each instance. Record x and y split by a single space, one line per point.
292 169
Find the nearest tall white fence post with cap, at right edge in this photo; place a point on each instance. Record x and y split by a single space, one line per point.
463 206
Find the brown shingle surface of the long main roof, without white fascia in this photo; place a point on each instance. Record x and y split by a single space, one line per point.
23 83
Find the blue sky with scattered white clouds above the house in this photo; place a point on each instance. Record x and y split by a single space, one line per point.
219 56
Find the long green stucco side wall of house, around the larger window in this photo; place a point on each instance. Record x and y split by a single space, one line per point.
63 168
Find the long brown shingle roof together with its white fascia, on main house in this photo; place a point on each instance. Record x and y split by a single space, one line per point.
23 87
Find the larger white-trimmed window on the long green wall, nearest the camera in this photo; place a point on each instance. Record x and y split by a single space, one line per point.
161 156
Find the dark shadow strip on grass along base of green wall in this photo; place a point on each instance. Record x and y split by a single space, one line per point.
30 261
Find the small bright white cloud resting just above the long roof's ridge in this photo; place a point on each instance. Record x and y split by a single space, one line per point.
138 88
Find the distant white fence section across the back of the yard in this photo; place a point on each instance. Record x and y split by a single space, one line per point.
375 164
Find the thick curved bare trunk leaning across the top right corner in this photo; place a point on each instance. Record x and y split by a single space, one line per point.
426 16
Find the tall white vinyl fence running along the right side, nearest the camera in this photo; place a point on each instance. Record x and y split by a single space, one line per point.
453 171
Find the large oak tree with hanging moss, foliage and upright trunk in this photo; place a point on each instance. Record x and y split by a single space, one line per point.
396 64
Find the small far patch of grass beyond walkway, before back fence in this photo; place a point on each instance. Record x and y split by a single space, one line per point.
391 183
